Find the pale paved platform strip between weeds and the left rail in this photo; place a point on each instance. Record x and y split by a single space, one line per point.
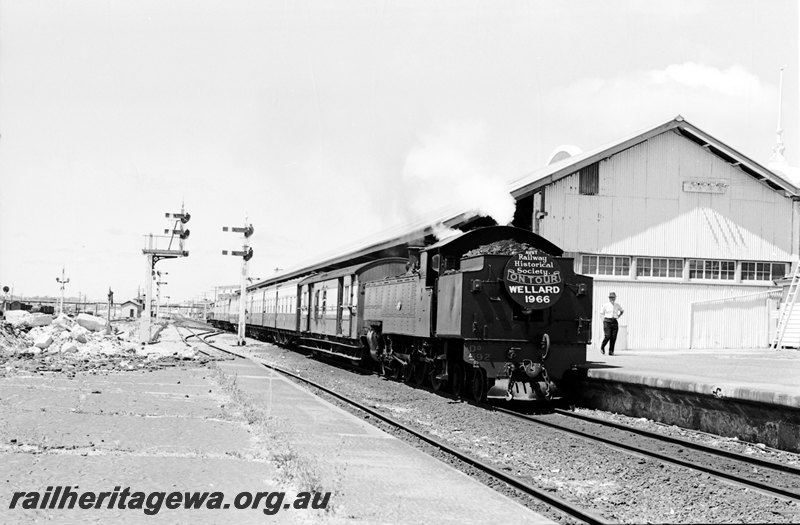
375 477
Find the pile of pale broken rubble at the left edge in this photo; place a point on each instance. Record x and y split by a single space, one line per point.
37 343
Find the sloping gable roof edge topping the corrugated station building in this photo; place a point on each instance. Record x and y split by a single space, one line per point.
528 184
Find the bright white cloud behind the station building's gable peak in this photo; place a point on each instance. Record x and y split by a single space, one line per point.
730 103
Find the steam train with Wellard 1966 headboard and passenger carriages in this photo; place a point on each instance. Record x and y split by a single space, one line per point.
494 313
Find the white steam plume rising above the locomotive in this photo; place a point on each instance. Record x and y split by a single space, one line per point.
443 173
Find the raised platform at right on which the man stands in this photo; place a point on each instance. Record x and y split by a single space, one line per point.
751 394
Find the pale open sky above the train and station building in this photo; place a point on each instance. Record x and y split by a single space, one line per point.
324 123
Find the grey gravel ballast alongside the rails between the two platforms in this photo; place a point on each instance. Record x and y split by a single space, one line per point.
618 486
